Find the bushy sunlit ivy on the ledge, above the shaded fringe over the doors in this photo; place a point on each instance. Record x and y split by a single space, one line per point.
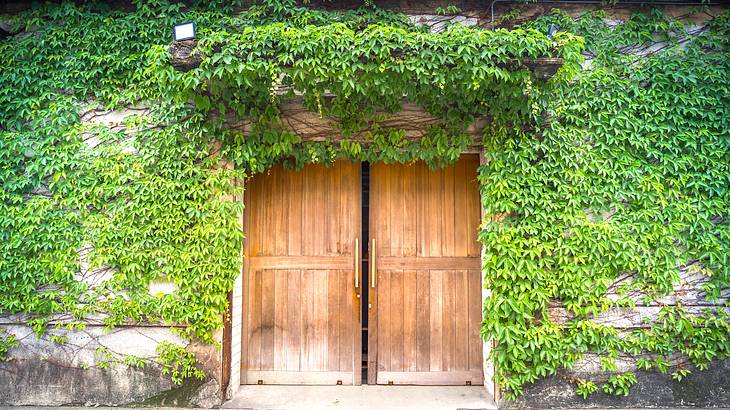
353 73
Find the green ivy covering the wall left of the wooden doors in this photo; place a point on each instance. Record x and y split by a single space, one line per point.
148 207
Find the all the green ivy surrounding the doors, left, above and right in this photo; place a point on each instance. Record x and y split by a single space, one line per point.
642 140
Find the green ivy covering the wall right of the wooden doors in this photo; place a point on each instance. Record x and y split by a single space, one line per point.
625 186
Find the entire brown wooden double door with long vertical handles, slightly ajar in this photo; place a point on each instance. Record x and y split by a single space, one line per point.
304 280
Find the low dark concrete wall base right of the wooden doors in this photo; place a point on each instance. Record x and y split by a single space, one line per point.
710 388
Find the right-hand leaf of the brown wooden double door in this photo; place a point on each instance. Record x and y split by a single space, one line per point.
426 306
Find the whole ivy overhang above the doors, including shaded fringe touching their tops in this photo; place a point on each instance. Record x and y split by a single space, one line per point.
357 73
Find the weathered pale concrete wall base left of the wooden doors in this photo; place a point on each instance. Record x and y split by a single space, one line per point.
88 368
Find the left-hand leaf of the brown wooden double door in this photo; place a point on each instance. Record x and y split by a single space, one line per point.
301 318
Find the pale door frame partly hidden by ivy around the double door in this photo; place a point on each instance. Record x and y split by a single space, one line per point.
231 358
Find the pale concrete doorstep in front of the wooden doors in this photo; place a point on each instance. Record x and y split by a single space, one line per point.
361 397
